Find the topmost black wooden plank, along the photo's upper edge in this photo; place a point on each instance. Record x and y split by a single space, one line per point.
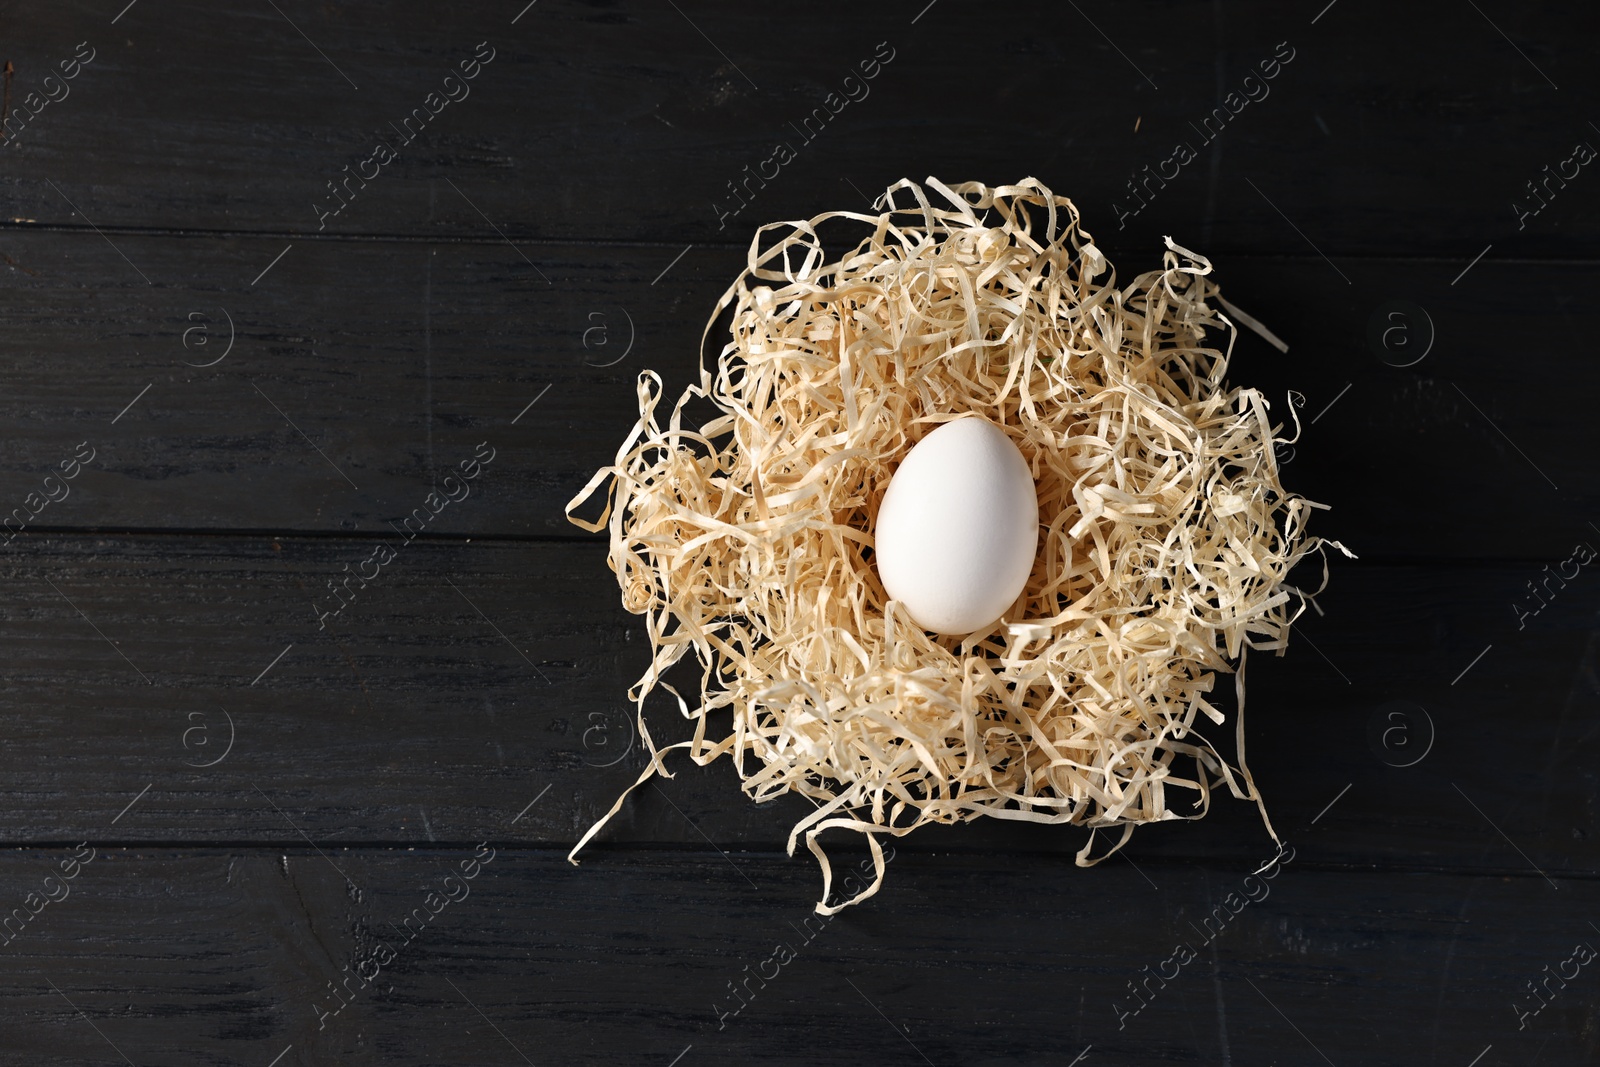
639 121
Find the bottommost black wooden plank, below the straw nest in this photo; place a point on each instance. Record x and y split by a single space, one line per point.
225 957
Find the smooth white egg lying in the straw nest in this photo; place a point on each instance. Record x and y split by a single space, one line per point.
959 527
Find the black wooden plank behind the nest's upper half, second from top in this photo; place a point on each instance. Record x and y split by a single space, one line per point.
364 372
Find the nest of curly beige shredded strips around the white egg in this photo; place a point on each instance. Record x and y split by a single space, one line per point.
1164 553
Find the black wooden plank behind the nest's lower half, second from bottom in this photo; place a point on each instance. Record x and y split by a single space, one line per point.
473 679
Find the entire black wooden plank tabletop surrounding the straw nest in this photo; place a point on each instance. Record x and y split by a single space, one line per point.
1428 746
